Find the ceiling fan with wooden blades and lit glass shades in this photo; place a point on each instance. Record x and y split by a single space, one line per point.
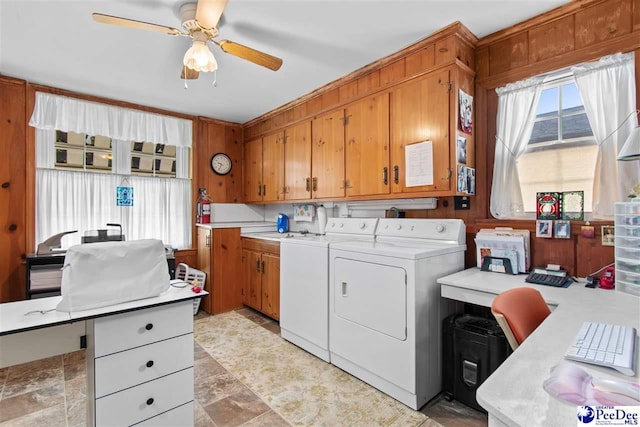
200 22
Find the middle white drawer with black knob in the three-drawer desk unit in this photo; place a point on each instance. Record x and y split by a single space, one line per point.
129 368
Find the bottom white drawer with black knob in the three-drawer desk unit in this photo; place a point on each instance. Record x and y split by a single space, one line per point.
145 401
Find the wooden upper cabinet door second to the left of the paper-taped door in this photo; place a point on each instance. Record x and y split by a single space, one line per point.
327 155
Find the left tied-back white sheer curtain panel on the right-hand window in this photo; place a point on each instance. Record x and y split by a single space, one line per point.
517 105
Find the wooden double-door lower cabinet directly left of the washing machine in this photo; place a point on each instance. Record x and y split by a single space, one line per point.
261 276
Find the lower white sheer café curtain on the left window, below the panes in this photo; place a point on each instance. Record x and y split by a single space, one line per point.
71 200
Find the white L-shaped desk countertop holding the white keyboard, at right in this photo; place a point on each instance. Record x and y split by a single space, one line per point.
513 394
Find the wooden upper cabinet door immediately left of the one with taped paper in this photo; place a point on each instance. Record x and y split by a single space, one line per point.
367 141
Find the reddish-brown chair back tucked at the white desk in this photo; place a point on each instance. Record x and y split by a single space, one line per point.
519 311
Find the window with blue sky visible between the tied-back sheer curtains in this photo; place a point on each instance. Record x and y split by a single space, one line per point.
561 153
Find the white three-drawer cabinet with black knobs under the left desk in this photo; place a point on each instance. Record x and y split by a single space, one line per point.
140 367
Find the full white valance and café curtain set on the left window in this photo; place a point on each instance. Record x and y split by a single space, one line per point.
76 200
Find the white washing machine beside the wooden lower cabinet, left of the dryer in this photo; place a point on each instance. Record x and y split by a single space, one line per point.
304 282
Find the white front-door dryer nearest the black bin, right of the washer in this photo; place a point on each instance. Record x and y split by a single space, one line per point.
385 308
